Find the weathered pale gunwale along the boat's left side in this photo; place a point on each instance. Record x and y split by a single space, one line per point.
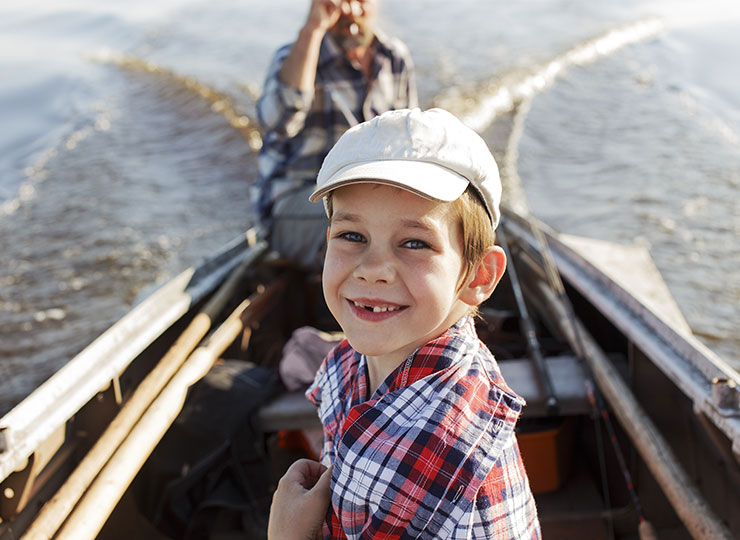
49 407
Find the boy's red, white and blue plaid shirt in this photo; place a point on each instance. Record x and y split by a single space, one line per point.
432 454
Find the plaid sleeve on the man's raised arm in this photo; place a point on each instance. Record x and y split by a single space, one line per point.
282 109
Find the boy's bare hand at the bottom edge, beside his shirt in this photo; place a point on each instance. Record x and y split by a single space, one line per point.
300 502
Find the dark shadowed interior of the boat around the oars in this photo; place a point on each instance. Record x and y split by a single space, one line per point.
213 473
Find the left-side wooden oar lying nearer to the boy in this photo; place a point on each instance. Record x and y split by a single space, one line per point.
88 518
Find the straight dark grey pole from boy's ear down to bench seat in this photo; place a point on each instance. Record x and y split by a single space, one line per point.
544 380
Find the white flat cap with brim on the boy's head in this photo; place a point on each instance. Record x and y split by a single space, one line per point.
429 153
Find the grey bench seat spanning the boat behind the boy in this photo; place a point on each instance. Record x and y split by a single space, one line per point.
291 410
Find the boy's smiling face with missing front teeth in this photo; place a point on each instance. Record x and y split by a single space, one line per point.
393 268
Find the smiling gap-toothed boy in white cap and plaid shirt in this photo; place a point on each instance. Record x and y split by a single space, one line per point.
418 423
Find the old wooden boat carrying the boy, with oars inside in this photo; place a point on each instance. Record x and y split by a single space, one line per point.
632 427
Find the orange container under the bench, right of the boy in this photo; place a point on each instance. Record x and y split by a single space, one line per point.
547 453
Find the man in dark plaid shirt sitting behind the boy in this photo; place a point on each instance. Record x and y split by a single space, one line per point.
340 71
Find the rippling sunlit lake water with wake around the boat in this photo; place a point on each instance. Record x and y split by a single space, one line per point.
127 136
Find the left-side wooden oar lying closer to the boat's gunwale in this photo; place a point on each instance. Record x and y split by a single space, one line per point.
56 510
